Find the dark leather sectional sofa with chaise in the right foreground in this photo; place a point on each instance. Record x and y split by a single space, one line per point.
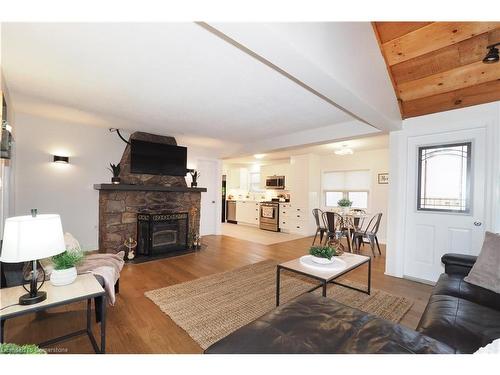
459 318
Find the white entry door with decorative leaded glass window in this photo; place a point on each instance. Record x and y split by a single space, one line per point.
446 199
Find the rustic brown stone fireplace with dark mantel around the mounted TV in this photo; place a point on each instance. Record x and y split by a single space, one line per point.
151 197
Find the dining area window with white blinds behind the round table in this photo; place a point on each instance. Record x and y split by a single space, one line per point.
352 185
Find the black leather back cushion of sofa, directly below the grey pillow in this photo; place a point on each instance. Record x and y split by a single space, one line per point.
454 285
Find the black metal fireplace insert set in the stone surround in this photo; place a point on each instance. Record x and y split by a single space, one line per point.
162 233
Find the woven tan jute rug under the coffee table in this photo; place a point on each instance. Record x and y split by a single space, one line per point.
211 307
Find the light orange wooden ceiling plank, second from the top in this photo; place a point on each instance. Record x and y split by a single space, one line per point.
432 37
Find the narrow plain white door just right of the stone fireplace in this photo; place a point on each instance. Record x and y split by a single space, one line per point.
209 216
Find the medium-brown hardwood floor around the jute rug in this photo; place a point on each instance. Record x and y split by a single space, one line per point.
136 325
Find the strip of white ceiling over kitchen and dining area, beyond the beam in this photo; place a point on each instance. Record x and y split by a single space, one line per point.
376 142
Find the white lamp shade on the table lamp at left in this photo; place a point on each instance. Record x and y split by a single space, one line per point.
27 238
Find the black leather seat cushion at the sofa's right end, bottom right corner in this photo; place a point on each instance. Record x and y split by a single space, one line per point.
461 324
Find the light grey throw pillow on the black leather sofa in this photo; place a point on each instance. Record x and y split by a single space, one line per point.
486 271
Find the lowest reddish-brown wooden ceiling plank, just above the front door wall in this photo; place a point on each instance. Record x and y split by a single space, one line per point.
478 94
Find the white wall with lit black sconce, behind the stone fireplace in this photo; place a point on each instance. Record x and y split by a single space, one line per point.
66 189
